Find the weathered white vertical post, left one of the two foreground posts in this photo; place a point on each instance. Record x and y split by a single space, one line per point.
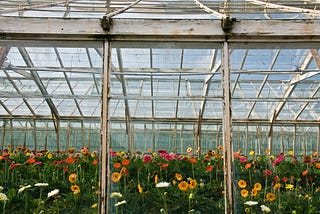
105 138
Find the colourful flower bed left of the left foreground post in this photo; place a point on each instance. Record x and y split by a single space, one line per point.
49 182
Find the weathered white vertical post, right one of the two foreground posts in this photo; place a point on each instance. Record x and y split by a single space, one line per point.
227 142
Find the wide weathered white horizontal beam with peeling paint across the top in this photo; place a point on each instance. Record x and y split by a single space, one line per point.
153 29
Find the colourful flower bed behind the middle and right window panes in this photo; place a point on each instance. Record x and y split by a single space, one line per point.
170 183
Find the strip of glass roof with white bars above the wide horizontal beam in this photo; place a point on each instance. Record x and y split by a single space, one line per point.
158 9
